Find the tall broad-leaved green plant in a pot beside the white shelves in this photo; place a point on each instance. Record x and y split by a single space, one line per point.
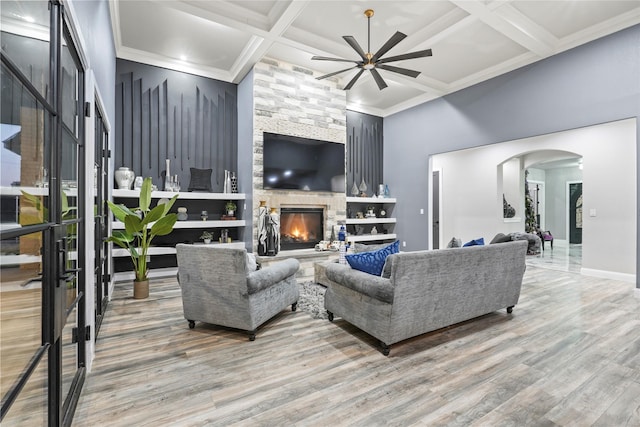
142 224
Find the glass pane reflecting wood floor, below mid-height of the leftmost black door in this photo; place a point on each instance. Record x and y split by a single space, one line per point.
21 308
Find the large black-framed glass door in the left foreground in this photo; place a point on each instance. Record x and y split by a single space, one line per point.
42 330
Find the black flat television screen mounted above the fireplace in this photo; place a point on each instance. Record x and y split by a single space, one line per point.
293 163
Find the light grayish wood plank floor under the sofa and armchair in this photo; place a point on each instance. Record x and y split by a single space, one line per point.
569 355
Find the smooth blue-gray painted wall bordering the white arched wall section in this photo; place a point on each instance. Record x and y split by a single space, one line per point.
591 84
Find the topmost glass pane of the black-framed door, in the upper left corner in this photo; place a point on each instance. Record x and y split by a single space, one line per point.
25 39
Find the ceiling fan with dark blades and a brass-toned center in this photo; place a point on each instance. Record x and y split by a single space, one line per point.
374 61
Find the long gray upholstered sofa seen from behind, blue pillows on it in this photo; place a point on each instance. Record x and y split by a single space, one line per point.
427 290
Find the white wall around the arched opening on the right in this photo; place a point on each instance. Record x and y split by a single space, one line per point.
470 191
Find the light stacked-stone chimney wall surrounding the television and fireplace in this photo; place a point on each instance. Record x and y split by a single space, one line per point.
288 100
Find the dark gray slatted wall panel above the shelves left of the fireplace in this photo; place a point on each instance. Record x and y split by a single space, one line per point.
188 119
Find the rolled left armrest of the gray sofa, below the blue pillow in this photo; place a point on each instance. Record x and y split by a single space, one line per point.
374 286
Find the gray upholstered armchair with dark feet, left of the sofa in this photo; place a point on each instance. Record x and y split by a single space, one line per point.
218 288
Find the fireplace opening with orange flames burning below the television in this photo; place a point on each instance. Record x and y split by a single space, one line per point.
300 227
